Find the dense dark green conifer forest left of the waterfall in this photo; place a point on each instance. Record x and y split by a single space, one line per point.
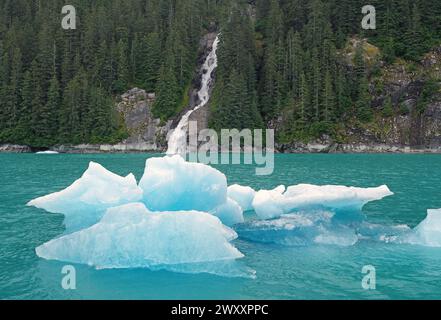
58 86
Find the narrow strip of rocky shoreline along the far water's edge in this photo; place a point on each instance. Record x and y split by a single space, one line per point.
312 148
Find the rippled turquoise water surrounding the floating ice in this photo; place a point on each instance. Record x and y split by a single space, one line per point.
311 272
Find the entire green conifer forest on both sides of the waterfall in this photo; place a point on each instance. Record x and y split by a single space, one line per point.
277 58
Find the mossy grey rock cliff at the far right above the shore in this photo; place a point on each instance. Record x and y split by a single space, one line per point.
411 126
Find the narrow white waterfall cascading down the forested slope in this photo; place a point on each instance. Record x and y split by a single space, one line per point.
177 143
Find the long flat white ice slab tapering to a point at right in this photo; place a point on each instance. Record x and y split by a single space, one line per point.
270 204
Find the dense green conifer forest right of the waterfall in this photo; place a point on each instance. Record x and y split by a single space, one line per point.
299 71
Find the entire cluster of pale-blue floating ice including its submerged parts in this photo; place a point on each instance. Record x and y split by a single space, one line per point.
183 217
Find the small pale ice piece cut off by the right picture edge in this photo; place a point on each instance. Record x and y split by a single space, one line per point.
428 232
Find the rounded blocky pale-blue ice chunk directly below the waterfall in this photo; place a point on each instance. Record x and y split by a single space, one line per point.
172 184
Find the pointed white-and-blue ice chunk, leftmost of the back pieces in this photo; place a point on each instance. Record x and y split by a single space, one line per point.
86 200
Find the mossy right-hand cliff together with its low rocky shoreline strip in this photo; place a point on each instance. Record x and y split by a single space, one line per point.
411 128
